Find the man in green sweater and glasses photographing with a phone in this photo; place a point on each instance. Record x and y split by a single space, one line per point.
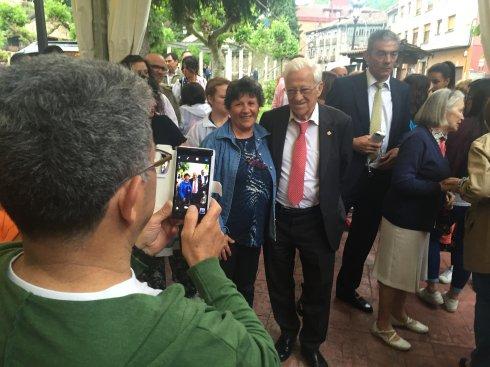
76 175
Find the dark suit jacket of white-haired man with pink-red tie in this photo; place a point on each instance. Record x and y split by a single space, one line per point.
335 131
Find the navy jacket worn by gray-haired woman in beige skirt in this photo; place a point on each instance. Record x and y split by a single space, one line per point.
415 197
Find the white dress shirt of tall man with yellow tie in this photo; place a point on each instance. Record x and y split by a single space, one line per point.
387 113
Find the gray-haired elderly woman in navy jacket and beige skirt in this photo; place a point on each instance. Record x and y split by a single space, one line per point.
411 205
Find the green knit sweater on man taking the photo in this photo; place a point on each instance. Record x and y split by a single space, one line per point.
135 330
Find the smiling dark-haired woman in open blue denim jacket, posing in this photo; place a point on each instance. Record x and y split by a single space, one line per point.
245 169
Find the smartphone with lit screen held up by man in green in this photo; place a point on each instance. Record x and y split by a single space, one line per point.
192 180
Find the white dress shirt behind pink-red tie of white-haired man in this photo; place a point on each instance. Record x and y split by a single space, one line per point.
311 193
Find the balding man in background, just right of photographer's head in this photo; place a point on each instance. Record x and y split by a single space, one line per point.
159 69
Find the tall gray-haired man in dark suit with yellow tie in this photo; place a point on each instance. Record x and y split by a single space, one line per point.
376 102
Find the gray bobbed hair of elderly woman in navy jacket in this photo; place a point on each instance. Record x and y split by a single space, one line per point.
433 112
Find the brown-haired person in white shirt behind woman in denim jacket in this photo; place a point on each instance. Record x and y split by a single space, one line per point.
215 95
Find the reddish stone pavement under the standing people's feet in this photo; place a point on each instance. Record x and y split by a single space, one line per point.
350 343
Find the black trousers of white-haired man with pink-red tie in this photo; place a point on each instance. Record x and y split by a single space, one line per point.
302 230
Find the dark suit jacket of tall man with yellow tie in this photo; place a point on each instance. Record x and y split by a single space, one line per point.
349 94
